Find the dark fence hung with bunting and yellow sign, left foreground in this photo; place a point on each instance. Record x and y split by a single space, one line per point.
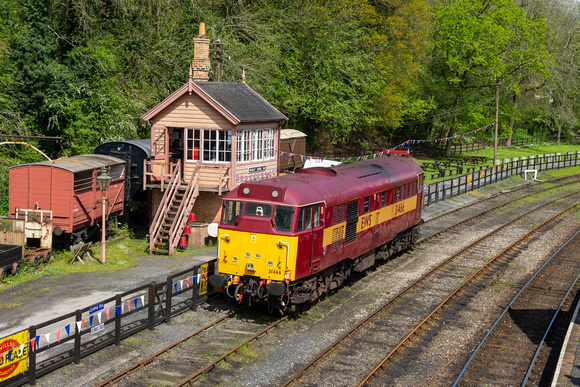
67 339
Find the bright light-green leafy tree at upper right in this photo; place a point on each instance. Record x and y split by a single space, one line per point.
483 44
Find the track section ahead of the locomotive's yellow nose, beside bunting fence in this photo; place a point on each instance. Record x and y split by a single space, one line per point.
173 364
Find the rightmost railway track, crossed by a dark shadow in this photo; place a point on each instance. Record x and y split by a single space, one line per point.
510 352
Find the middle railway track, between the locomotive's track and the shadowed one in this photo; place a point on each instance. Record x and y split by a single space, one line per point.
396 318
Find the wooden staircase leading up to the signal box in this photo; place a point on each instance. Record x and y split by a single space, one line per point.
172 215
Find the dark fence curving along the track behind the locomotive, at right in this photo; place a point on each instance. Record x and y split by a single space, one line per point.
443 190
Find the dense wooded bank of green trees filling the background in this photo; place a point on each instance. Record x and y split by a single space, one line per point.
345 72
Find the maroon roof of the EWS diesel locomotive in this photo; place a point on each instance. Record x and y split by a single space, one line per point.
332 185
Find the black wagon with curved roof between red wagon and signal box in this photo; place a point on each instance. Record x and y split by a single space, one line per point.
135 153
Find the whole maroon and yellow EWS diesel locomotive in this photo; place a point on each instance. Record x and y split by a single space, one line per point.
288 240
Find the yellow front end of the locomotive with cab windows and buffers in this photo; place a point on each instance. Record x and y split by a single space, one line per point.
256 256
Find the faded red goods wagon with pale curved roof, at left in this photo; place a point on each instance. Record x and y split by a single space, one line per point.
68 188
